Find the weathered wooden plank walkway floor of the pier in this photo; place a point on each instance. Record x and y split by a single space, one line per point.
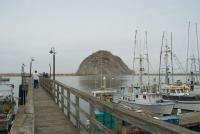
49 119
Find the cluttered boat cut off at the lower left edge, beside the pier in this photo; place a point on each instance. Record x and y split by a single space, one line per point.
7 108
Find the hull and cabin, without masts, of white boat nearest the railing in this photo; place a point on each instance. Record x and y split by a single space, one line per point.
150 102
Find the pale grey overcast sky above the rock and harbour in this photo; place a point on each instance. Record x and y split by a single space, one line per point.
76 28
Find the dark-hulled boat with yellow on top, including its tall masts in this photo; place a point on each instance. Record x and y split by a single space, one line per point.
177 92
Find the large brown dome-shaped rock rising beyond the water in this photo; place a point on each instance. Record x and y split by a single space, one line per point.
103 62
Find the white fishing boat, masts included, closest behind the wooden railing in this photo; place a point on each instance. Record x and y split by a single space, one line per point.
141 96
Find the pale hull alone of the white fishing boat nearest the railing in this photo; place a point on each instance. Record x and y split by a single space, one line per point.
159 108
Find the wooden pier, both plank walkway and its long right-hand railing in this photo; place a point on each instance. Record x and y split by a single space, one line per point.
59 108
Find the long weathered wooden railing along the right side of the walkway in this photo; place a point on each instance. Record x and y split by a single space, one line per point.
63 95
